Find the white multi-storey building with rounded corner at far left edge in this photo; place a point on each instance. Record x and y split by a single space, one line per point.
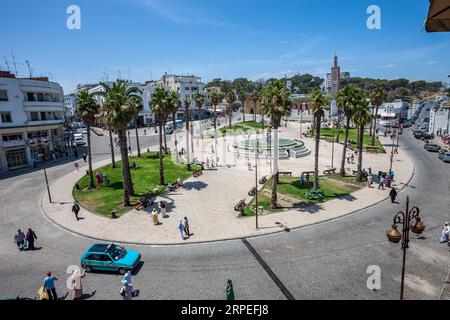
32 121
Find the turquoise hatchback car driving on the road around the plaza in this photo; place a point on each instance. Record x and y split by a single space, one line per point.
110 257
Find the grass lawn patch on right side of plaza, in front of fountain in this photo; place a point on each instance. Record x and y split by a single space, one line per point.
333 186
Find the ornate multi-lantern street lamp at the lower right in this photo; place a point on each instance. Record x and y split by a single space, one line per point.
410 220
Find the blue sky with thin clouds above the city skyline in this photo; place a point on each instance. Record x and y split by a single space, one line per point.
142 39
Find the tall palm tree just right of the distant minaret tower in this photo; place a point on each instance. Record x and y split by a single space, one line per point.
347 99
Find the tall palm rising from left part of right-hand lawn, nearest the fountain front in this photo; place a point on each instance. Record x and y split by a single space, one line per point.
278 104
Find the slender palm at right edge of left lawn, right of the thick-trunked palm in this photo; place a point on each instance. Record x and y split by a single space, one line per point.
160 103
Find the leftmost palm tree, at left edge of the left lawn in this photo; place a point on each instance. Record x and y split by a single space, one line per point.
87 110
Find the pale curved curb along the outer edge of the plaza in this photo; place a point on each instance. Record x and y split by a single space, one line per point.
232 238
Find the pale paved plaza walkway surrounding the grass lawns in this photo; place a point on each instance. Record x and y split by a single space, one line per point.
208 202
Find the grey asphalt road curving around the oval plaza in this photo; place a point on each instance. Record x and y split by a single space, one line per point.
325 261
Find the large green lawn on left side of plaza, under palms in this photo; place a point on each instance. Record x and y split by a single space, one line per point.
145 181
